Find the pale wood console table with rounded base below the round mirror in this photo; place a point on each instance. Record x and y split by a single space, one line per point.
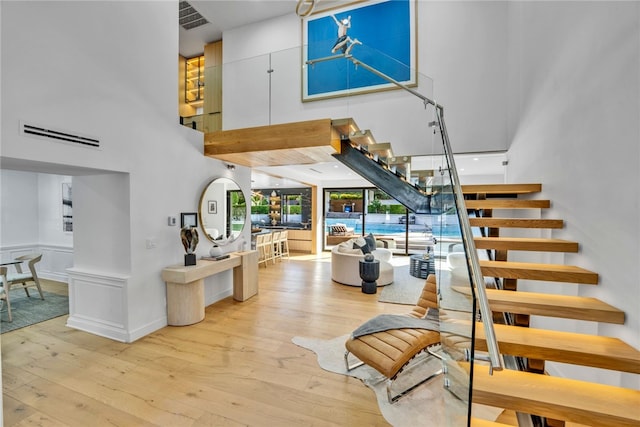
185 285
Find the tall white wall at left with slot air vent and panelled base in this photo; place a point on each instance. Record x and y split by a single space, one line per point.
61 70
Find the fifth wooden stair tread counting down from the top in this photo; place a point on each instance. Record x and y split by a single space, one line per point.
536 271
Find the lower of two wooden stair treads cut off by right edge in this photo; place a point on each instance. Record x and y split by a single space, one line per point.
559 398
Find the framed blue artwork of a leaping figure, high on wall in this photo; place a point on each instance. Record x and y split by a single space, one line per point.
379 34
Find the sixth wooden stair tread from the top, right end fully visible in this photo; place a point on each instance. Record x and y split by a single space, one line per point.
565 306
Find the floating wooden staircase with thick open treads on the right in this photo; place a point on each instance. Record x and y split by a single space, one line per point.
557 399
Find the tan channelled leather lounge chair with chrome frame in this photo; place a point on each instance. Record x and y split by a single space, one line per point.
389 352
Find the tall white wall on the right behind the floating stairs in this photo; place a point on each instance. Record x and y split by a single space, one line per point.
574 106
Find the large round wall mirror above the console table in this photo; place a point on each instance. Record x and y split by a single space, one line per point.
222 211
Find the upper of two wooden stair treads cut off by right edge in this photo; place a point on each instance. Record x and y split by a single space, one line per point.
567 347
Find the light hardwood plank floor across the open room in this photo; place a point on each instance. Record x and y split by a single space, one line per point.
238 367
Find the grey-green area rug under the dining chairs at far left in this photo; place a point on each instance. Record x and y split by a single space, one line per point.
28 311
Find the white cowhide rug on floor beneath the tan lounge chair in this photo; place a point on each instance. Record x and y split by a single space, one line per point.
424 406
